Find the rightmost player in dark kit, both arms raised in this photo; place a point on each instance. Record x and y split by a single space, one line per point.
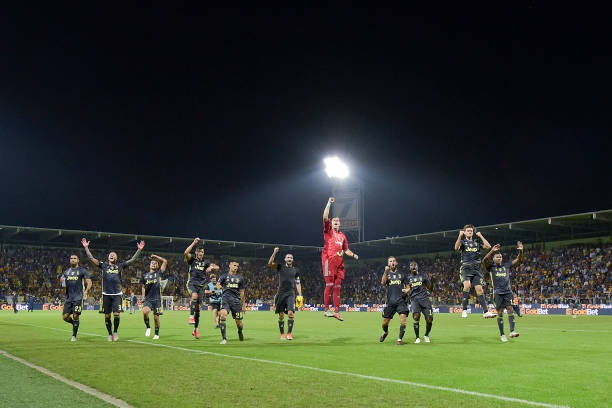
500 280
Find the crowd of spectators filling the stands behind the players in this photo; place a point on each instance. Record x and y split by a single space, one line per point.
579 273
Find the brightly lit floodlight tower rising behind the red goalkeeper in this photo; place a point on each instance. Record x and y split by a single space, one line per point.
349 199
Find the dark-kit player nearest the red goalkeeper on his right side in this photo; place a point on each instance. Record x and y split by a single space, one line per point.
396 282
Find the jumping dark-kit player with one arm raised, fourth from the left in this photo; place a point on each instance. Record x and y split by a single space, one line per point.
198 267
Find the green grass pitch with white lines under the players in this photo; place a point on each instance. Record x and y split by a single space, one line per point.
556 361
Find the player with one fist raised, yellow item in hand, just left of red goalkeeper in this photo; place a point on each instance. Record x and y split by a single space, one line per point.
285 300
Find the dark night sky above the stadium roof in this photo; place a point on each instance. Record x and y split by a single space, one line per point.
214 123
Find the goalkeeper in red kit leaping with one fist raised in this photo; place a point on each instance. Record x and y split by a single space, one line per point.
335 246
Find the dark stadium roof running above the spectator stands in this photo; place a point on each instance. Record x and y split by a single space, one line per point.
596 224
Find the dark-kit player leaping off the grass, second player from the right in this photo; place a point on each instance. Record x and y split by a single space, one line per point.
470 267
